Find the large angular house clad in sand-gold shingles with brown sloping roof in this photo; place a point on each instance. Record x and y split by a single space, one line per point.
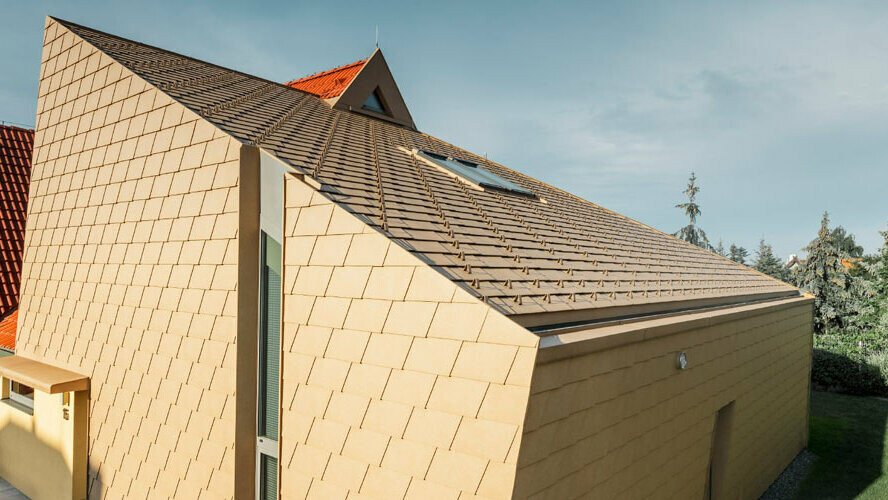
247 289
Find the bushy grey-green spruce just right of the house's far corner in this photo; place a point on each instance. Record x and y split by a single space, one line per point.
837 294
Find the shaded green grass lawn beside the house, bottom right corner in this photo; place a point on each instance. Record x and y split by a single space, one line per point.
848 434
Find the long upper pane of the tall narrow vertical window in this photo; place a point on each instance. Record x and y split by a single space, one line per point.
270 338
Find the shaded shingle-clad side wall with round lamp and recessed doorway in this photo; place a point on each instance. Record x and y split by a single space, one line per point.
621 421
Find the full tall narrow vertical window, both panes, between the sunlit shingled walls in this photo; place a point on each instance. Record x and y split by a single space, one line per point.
269 366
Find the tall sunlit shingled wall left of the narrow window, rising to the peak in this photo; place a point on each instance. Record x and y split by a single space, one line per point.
130 273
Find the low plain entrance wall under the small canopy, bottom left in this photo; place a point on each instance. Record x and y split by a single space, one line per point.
47 443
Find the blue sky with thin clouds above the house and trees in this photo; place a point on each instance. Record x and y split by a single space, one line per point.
779 107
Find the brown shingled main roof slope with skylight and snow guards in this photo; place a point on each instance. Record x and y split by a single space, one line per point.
522 255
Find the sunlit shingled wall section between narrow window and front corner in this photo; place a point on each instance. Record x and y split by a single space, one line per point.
395 383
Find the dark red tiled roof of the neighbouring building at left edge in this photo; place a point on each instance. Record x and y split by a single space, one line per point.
15 173
